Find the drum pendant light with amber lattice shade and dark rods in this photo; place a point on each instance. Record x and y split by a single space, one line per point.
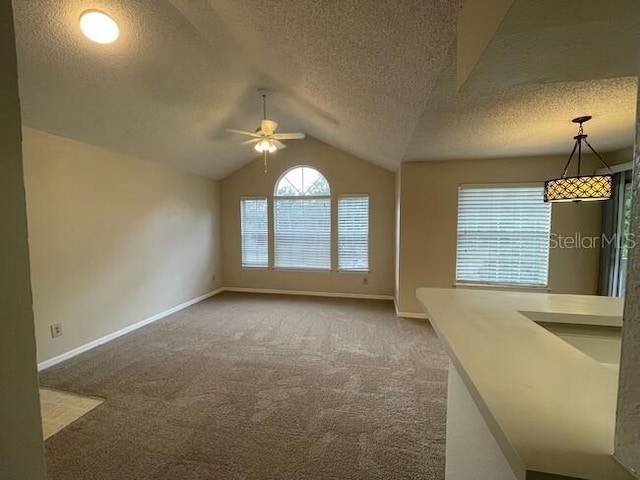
581 187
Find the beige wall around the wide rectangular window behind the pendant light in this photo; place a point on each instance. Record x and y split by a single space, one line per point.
429 200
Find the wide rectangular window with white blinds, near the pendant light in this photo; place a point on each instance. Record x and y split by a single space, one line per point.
503 235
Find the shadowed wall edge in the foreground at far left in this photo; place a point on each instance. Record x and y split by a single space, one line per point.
21 451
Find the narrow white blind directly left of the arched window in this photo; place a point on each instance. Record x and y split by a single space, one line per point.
254 232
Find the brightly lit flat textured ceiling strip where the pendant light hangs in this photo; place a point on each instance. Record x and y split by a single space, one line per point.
525 120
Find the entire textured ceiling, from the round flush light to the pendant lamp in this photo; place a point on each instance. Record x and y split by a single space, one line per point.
374 78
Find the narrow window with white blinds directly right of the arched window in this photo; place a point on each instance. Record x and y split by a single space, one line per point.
353 233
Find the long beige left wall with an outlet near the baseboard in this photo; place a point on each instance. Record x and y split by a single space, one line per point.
113 239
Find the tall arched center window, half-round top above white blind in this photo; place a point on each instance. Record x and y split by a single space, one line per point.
302 220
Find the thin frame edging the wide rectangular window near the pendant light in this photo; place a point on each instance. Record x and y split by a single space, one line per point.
509 285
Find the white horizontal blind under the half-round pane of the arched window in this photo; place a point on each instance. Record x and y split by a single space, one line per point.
303 233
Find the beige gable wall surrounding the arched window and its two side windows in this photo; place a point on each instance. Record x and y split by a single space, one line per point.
346 174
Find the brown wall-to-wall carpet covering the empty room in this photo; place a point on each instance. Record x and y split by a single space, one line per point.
259 387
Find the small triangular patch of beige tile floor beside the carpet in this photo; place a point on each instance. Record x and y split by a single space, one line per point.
59 409
